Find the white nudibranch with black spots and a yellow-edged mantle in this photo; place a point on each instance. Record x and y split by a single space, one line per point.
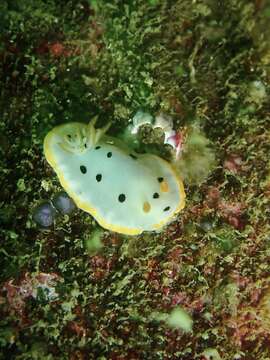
124 191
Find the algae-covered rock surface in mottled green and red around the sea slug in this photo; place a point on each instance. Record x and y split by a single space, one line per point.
205 64
